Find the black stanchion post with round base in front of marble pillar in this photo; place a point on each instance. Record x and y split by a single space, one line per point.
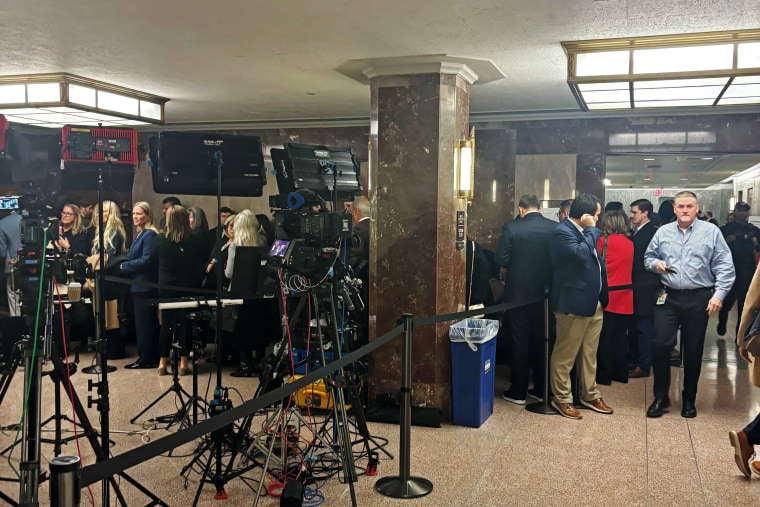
405 486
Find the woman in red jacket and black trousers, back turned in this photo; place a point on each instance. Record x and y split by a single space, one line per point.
617 251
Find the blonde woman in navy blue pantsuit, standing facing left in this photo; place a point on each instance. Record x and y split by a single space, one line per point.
140 269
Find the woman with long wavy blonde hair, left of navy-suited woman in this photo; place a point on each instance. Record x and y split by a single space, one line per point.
114 237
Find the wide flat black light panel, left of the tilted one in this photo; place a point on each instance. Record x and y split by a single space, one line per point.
184 163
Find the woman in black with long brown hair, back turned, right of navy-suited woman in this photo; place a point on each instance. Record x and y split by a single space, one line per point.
179 256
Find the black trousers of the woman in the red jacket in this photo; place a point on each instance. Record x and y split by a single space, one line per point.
612 354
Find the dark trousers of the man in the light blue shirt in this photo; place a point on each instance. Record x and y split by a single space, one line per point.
689 310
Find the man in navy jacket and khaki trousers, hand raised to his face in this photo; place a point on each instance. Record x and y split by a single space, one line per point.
579 294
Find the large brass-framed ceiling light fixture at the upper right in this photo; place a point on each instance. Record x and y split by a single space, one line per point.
670 71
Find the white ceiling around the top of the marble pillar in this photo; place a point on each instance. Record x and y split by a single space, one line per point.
248 60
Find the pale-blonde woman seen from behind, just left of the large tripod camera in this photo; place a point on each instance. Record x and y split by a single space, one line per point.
249 332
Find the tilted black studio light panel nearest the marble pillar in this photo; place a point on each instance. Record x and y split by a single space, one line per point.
321 169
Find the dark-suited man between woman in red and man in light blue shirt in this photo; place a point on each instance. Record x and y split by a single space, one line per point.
646 285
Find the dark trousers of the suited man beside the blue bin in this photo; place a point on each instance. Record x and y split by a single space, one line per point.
527 342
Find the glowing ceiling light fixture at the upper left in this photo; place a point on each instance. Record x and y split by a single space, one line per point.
55 100
